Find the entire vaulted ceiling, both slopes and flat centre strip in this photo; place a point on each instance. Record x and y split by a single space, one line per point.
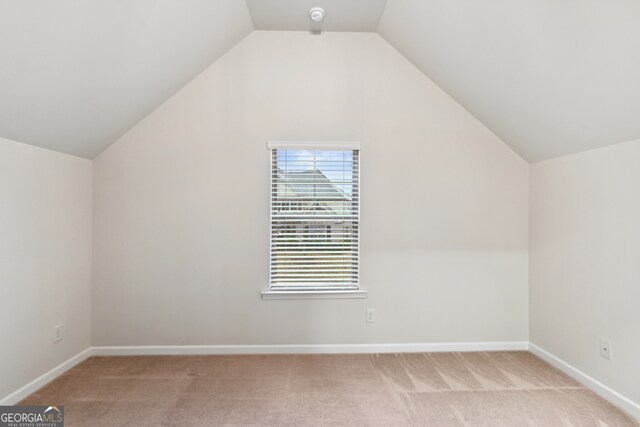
549 77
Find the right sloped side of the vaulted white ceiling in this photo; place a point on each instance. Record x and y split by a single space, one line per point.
549 77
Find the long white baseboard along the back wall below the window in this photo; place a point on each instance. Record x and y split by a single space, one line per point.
308 348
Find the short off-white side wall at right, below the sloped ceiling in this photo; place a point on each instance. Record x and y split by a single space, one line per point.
585 262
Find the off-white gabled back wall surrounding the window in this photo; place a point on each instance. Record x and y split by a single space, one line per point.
181 205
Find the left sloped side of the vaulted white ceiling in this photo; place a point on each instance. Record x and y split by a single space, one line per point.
76 74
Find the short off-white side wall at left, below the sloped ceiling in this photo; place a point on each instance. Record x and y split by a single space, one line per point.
45 260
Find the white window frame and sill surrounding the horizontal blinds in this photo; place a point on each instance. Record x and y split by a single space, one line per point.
358 293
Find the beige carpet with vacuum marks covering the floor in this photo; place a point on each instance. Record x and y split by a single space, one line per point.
434 389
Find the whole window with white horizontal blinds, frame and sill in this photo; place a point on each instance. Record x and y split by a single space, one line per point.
315 214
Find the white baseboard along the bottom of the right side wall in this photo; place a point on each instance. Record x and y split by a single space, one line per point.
605 392
